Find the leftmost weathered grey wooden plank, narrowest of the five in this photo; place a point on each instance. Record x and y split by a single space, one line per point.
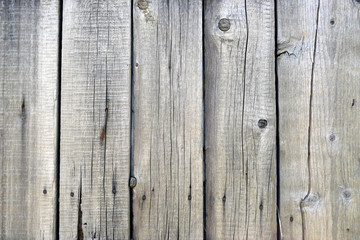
28 118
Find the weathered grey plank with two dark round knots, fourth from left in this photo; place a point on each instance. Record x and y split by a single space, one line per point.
240 120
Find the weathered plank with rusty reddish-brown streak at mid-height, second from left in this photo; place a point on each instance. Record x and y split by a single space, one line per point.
95 120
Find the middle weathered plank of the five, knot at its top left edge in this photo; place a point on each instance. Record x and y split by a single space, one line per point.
168 119
